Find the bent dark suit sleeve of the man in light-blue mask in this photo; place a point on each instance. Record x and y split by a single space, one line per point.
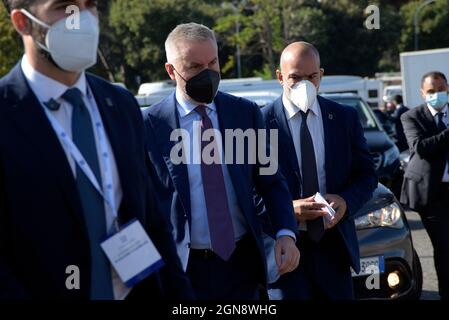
426 147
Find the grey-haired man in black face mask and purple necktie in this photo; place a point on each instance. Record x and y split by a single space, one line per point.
210 204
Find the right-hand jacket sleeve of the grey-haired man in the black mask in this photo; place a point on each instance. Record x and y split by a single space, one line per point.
273 187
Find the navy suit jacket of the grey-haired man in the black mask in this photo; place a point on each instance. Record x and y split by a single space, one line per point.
233 113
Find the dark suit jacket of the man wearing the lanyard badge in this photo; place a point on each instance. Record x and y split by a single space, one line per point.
42 228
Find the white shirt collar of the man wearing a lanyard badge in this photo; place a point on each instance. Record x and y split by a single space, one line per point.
46 88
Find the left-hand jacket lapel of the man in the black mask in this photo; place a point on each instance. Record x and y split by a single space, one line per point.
170 122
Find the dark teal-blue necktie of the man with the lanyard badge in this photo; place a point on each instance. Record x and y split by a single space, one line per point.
91 201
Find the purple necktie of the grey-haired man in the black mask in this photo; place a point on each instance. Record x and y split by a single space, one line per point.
219 217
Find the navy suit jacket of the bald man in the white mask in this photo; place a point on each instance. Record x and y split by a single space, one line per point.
350 170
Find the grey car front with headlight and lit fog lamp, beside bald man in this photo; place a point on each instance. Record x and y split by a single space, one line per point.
385 242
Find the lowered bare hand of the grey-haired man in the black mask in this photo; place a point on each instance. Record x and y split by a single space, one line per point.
287 254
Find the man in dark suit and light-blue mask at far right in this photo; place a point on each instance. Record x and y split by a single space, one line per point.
426 179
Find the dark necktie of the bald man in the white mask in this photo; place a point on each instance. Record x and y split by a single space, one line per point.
315 228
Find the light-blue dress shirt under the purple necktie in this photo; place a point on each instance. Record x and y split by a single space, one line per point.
199 236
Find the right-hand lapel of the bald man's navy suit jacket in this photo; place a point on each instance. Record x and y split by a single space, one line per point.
330 129
